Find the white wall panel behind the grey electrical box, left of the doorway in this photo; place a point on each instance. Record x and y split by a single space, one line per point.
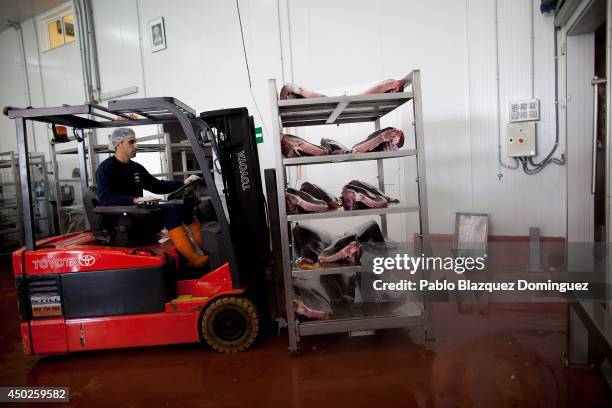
515 201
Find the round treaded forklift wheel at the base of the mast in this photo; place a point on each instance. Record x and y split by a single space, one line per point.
230 324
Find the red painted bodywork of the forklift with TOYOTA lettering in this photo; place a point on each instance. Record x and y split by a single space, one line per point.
48 332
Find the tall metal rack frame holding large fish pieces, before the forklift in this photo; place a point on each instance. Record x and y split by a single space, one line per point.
333 111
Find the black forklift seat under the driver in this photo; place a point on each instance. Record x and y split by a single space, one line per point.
126 226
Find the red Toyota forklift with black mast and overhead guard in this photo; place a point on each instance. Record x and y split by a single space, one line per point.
115 285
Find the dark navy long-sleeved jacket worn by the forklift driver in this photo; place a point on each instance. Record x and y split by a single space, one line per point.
119 183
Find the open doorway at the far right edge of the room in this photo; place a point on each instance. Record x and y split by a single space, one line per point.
585 40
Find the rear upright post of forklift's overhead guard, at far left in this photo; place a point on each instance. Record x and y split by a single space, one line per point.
24 176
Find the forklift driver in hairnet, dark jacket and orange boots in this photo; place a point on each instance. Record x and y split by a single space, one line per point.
121 181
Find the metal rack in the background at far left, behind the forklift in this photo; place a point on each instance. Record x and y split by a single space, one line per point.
10 160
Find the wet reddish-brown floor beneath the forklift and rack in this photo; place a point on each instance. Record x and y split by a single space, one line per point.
508 355
